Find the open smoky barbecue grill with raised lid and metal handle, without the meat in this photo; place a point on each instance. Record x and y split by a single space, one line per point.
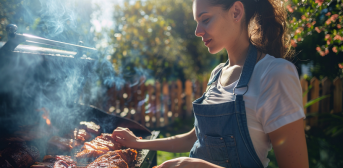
17 112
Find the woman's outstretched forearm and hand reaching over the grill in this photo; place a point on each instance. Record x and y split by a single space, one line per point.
178 143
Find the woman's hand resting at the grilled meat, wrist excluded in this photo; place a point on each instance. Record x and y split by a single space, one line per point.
125 137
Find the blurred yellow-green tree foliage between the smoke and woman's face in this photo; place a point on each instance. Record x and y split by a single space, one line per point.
159 36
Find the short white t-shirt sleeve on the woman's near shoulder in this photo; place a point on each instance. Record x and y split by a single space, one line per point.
280 99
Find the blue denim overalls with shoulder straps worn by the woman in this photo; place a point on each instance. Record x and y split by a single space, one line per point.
221 129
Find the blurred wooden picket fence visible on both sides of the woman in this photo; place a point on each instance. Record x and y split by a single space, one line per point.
159 104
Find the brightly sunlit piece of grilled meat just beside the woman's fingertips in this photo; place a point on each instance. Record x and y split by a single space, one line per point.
98 146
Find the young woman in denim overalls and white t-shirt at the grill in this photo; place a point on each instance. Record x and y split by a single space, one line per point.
253 101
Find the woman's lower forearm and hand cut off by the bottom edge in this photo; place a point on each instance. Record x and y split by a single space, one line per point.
186 162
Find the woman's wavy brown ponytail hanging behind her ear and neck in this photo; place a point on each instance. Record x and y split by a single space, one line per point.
270 33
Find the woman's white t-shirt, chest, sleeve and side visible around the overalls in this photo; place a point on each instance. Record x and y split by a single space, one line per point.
274 99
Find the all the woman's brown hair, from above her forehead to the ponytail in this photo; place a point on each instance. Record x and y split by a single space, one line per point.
266 21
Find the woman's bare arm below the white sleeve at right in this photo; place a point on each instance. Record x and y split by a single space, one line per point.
289 145
